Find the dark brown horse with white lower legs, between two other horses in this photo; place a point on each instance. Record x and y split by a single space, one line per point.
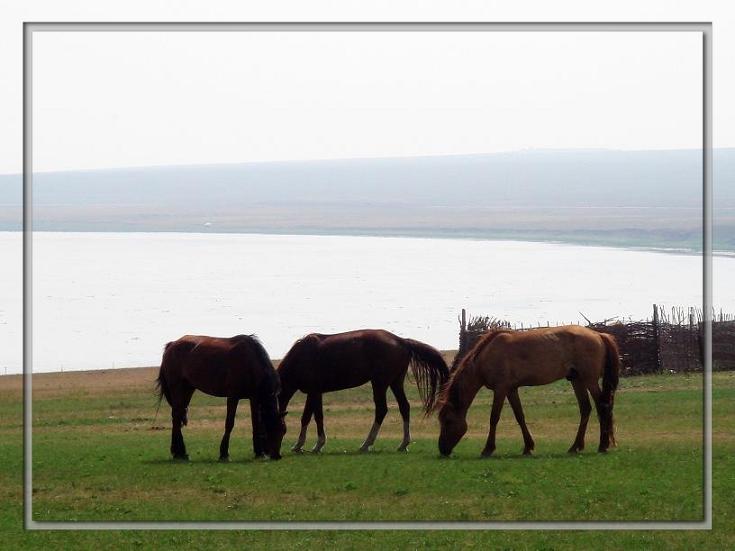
324 363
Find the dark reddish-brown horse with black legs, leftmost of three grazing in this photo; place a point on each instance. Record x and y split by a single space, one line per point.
235 368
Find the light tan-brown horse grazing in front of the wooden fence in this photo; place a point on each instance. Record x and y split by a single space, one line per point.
505 360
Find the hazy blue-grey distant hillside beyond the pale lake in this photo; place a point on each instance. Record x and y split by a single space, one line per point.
648 198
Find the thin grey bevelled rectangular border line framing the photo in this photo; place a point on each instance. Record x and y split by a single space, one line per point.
29 28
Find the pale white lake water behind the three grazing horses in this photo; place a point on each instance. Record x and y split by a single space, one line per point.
103 300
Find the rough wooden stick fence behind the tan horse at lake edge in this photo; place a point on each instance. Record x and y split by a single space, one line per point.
671 341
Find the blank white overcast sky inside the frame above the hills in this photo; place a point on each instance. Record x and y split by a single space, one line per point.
110 99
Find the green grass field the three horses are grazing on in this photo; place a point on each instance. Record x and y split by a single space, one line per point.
99 454
